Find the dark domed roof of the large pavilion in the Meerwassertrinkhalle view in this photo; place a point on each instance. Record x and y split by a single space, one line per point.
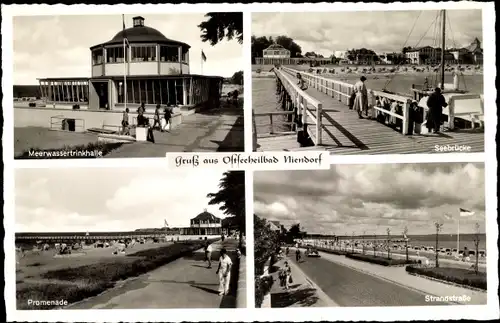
140 33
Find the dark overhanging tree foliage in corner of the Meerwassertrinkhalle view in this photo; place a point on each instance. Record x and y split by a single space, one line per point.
222 25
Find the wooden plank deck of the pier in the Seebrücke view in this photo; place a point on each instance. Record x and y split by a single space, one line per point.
345 134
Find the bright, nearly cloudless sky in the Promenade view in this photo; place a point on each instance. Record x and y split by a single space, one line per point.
110 199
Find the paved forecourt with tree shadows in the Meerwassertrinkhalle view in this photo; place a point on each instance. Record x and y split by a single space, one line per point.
210 131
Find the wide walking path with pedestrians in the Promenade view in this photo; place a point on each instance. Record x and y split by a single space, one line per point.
184 283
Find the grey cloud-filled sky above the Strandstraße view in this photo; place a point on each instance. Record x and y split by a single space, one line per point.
373 197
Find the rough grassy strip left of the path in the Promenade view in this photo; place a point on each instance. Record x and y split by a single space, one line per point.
42 277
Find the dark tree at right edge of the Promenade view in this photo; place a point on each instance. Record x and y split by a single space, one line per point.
231 197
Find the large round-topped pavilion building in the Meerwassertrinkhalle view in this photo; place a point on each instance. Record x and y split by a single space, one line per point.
138 65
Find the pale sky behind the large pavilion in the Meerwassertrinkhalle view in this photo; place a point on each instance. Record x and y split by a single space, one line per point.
58 46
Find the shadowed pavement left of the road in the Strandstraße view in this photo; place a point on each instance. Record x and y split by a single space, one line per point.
303 293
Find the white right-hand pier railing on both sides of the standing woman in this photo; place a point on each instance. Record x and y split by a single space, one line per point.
342 91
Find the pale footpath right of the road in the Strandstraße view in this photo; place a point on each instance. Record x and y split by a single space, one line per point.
398 275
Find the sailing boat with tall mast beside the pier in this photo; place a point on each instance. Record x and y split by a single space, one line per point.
467 108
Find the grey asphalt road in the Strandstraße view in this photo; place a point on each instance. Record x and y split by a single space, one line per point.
347 286
